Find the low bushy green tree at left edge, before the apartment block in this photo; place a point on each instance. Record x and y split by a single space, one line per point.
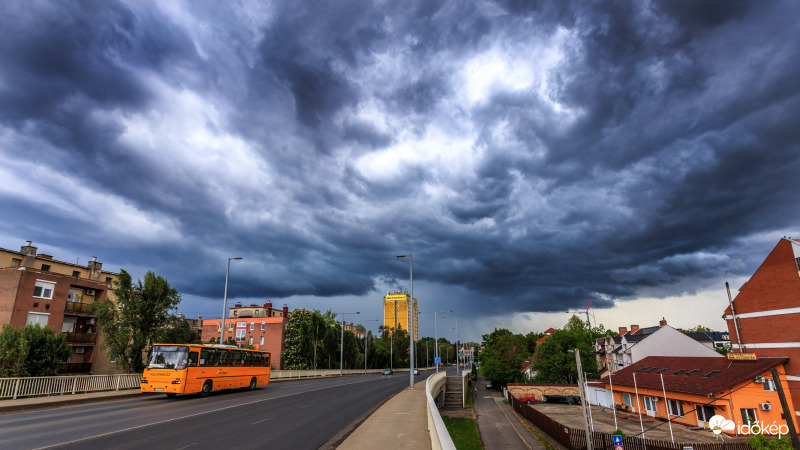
32 351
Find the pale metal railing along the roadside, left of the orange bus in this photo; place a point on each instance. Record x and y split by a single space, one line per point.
12 388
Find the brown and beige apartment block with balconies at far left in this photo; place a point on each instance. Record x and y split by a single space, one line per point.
35 288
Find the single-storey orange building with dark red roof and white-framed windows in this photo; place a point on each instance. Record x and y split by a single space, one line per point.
698 389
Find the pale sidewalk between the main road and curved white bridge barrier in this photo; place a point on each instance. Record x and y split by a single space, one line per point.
400 423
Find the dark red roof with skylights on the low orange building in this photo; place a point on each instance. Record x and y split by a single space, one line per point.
730 373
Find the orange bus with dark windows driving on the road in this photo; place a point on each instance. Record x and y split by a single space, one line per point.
191 368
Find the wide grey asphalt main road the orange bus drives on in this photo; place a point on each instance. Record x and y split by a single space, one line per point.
305 414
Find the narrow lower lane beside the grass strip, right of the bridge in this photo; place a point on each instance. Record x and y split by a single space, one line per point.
499 425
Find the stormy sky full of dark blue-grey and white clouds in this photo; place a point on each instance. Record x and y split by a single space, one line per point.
532 155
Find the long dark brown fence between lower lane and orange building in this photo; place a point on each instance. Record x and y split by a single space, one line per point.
575 439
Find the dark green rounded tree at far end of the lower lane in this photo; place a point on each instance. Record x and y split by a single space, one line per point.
502 356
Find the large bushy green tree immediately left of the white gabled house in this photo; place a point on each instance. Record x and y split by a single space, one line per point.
552 360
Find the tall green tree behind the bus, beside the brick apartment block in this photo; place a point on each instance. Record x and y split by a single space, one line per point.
130 325
